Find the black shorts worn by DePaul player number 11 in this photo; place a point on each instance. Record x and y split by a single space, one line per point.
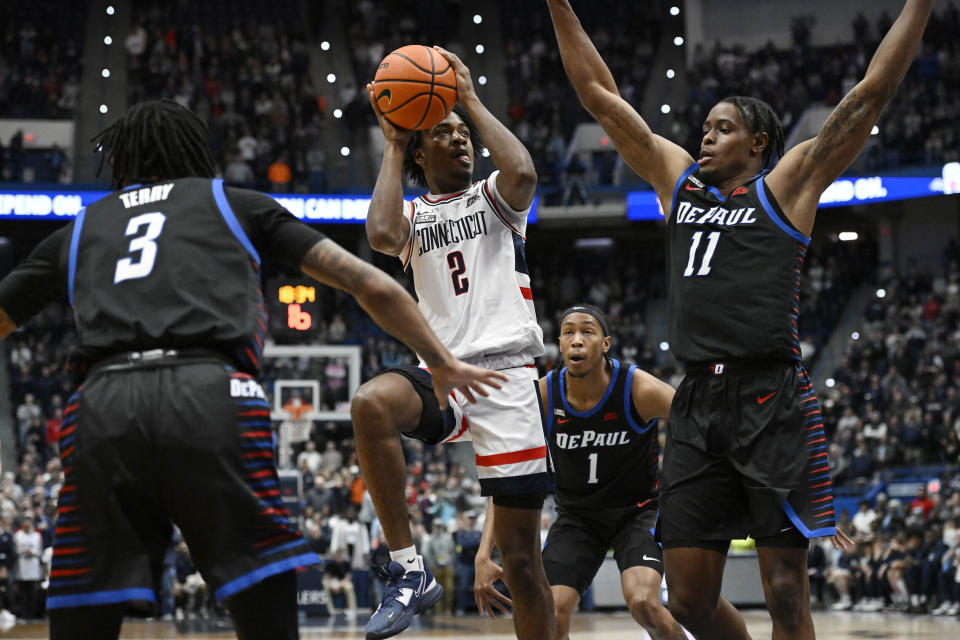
746 454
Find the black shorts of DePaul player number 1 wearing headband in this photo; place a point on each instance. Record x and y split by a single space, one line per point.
578 541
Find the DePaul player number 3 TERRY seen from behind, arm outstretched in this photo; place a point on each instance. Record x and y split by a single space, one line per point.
170 425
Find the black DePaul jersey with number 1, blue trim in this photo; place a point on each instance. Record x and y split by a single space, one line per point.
605 457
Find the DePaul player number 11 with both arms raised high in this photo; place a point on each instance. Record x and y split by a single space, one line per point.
745 446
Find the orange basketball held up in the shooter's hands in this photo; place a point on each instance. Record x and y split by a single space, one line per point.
415 87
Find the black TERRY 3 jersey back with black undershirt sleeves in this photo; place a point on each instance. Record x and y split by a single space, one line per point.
171 265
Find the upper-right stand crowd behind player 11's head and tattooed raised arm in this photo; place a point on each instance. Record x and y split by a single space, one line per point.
917 128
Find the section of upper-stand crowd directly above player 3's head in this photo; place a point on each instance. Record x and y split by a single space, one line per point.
243 68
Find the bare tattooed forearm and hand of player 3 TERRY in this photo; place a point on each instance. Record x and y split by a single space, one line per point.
395 311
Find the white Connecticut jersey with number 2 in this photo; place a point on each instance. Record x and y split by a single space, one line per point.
470 273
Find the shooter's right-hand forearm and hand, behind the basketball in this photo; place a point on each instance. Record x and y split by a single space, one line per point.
517 181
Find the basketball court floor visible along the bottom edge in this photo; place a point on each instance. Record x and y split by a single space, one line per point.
592 626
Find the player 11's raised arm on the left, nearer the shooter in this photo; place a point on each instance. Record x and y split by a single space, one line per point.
655 159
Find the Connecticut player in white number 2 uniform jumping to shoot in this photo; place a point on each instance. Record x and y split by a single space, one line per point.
464 242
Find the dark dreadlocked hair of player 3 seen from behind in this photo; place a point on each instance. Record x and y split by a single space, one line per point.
153 141
